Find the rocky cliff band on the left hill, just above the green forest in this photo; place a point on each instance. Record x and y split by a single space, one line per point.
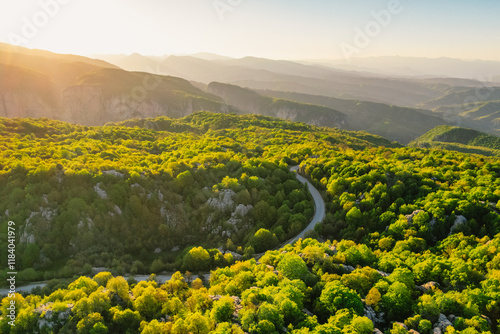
89 105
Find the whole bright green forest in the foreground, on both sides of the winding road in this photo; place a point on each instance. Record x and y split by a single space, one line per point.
410 241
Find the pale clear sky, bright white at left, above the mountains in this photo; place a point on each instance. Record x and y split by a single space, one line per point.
279 29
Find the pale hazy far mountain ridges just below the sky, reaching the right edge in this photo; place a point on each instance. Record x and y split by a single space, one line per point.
352 82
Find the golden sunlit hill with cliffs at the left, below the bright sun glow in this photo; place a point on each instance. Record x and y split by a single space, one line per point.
81 90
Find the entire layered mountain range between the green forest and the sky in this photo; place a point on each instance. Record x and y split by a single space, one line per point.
37 83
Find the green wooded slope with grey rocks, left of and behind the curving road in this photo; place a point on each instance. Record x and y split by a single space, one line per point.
137 190
